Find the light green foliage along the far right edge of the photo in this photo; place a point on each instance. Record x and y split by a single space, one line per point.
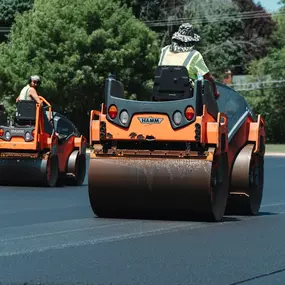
270 101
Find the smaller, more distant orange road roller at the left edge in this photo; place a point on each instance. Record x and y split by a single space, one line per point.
41 147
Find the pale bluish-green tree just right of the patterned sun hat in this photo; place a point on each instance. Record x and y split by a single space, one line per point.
220 43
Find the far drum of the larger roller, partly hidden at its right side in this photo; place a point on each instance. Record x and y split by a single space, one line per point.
246 189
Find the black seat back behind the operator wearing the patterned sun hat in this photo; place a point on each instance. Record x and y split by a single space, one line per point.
171 83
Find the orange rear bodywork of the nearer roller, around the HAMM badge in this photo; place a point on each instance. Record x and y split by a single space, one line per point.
212 132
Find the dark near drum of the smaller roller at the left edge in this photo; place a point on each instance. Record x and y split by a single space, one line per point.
29 171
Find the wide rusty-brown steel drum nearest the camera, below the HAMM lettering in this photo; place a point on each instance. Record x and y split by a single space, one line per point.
153 186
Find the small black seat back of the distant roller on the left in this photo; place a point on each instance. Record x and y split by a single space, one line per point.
26 112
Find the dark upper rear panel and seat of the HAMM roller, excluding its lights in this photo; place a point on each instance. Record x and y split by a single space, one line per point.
172 83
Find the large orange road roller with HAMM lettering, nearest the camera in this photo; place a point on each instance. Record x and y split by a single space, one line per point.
181 152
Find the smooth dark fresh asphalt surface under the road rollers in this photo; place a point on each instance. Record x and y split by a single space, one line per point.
51 236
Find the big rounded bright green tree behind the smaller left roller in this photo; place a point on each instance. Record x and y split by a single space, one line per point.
74 46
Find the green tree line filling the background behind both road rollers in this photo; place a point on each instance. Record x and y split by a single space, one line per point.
75 44
